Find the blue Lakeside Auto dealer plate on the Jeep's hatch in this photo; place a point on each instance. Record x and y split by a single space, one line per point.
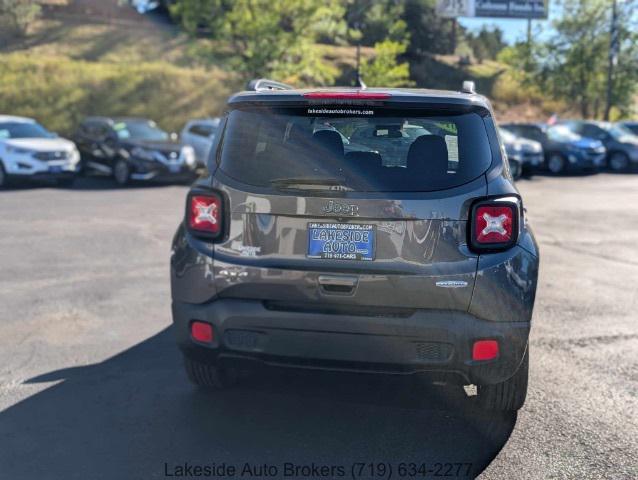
341 241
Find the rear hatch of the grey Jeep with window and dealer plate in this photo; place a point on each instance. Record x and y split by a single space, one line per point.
359 206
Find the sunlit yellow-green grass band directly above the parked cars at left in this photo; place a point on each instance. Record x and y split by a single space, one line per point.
60 91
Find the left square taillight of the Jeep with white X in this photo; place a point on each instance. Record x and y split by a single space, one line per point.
204 214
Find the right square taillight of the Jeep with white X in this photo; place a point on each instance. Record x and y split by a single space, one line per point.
494 225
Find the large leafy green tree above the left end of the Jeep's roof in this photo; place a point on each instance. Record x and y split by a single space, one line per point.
268 38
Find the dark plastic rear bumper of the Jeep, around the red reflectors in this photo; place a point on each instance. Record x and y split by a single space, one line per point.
433 342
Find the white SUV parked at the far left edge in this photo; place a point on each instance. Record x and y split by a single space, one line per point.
29 151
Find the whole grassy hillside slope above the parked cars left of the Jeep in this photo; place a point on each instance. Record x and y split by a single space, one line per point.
91 57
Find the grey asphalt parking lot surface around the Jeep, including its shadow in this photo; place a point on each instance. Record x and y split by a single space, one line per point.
91 384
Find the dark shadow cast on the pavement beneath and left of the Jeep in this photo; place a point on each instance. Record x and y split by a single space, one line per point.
129 415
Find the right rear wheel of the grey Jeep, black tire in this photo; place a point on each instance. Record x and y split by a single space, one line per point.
508 395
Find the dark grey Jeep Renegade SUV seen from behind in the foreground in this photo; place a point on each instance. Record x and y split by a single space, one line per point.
405 252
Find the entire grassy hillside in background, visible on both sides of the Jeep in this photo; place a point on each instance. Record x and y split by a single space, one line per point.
98 57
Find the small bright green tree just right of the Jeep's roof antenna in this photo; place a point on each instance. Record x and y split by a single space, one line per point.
384 70
